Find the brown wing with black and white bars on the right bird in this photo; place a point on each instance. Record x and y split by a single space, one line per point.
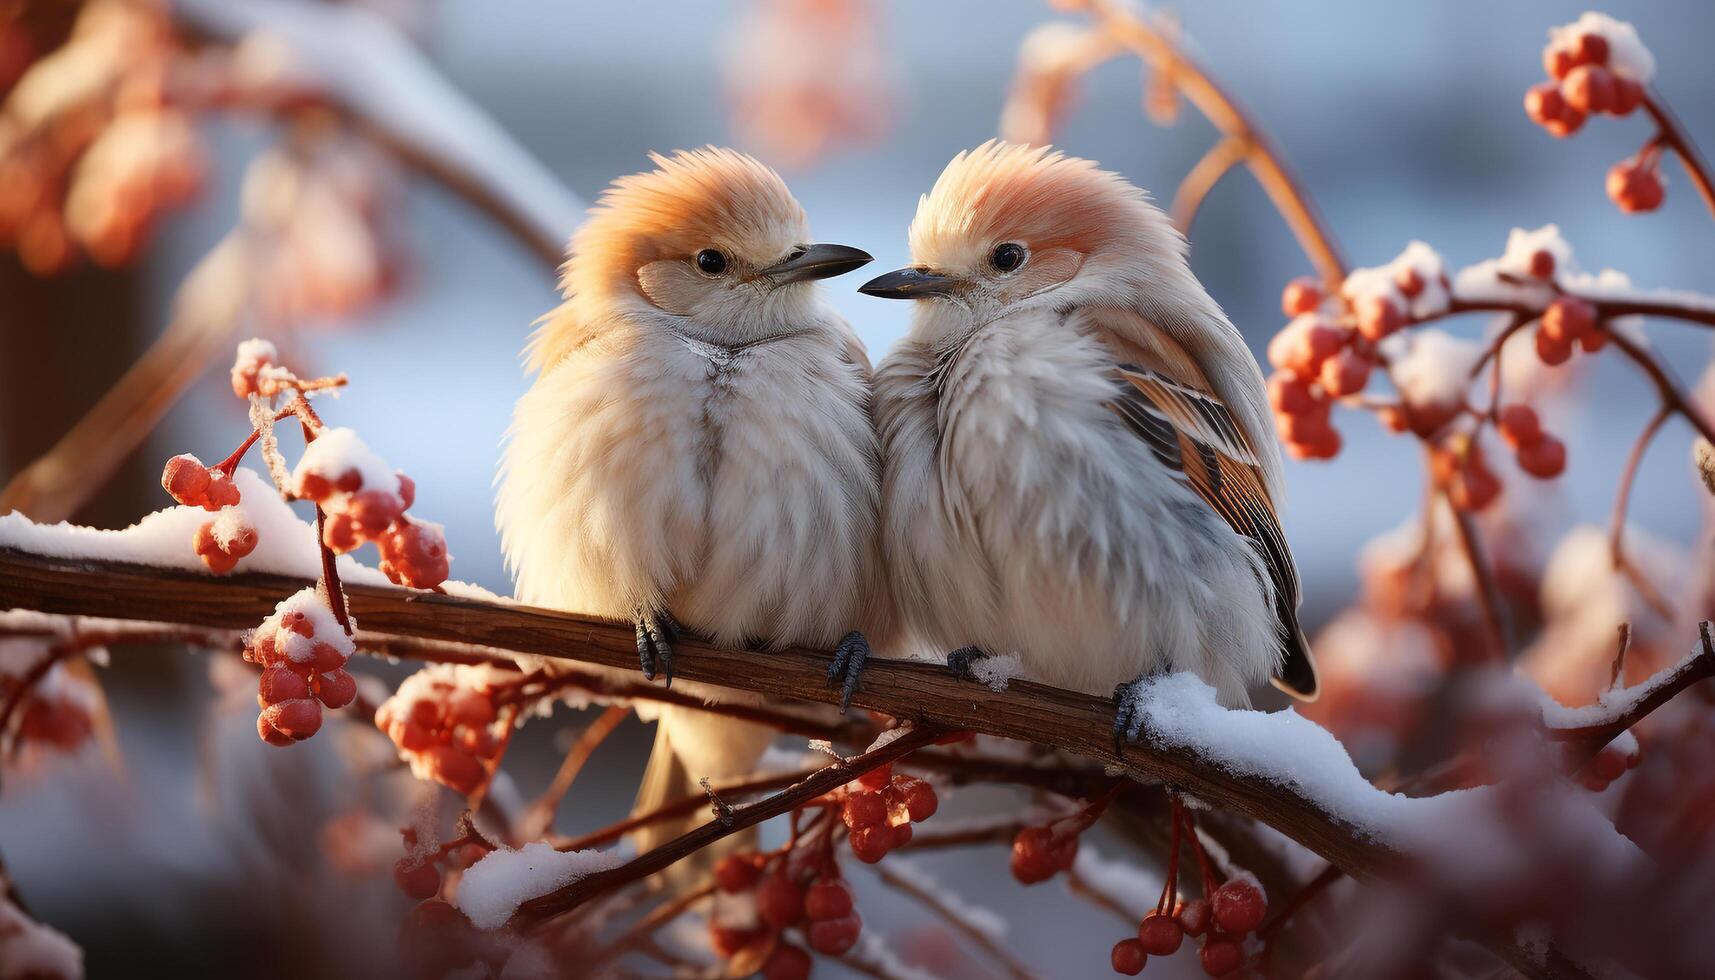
1167 401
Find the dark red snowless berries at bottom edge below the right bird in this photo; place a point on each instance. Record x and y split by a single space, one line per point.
1231 914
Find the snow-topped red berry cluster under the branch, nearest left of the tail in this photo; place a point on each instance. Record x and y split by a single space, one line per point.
445 723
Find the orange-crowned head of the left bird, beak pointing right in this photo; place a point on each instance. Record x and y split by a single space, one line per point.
709 236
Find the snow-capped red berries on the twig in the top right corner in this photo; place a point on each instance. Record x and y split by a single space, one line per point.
1594 68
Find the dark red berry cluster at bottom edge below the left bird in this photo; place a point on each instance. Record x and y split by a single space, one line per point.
761 904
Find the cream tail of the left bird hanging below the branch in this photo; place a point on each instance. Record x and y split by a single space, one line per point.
692 746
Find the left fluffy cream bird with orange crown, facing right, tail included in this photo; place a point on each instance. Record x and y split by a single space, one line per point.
699 445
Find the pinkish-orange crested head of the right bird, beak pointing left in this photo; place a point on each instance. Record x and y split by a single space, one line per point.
1009 227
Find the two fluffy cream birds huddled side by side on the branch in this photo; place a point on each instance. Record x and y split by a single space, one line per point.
1069 457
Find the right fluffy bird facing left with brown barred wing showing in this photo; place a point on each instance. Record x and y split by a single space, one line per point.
1080 464
